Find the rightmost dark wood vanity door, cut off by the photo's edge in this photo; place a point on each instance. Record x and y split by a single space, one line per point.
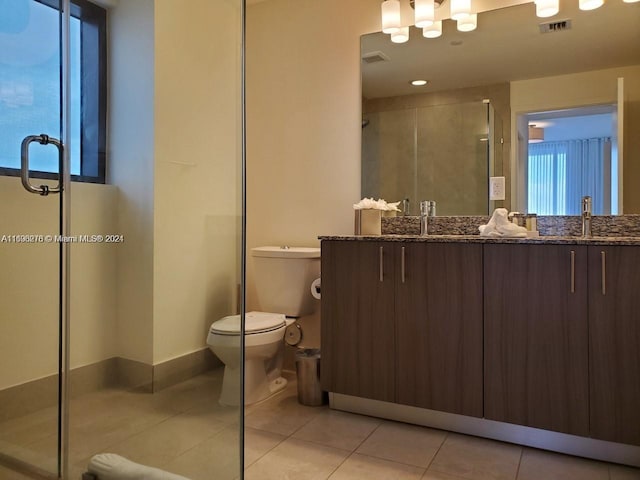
614 341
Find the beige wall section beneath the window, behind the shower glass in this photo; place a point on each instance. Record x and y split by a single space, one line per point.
29 281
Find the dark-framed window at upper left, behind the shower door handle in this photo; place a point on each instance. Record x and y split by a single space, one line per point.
29 87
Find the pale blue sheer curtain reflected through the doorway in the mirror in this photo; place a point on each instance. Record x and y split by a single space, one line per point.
561 173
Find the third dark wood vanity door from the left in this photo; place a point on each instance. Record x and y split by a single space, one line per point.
536 336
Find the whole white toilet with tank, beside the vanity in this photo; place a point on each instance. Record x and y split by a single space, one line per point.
283 277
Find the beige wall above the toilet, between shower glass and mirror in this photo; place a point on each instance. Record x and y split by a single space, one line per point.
303 119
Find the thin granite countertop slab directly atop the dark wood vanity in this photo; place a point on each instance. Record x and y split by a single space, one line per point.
541 240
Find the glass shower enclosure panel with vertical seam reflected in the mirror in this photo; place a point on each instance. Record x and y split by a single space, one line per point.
438 152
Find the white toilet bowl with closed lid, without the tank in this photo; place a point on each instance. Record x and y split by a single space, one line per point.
263 355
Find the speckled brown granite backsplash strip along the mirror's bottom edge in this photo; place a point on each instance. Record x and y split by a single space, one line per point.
562 226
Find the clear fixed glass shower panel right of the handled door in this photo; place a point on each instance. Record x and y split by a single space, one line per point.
144 384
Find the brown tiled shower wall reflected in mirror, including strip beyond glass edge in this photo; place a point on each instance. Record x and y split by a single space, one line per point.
436 146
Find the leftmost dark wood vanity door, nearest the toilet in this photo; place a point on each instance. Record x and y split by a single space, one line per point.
358 354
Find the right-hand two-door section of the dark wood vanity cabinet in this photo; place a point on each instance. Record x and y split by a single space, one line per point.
562 338
